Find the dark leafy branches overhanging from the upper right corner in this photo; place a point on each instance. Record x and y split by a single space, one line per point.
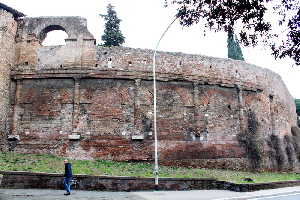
256 27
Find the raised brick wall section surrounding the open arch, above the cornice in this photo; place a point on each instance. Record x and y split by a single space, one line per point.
32 31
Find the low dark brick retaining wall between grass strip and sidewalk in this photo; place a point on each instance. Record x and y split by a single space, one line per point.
31 180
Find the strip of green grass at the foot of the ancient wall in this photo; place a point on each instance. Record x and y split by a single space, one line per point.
54 164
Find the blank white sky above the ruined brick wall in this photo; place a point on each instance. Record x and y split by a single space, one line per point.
143 23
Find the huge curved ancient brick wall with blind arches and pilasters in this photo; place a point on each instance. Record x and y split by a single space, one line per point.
90 102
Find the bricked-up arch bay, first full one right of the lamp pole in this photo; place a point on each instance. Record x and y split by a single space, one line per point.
218 114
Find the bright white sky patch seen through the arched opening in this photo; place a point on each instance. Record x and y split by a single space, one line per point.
55 37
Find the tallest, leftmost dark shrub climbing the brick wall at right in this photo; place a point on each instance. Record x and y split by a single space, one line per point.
250 141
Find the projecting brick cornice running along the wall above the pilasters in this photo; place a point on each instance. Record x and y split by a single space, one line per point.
87 72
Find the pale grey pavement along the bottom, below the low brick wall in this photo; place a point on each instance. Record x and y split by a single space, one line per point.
35 194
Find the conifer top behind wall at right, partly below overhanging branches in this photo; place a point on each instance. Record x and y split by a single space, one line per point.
233 47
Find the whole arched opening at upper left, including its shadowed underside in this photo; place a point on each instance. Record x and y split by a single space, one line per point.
53 35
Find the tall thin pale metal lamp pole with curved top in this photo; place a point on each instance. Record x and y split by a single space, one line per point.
154 110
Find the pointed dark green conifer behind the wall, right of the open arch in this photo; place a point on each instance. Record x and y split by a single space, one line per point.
112 34
